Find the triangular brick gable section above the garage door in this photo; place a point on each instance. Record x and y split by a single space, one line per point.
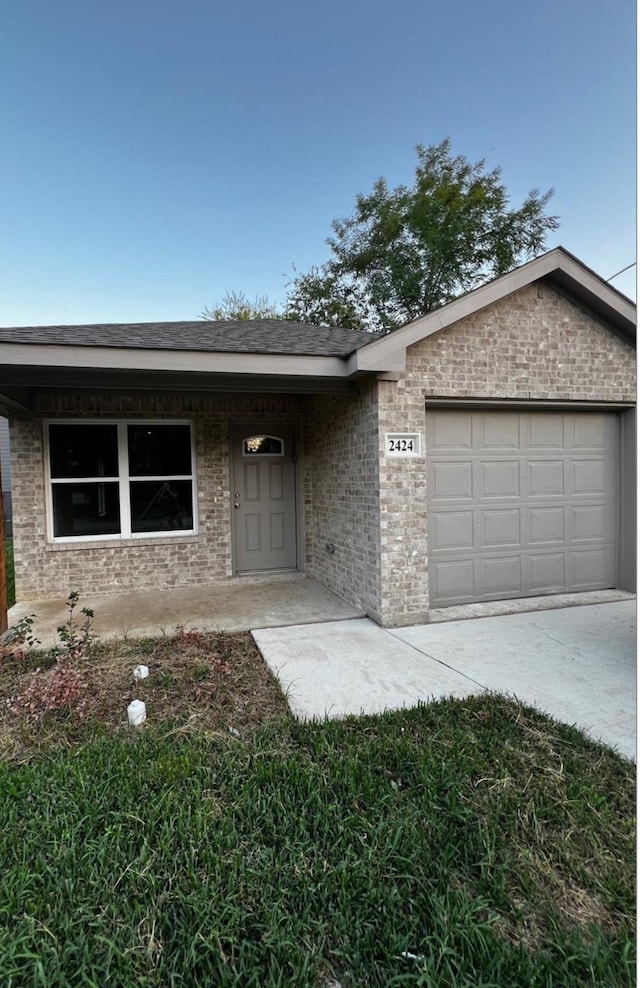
535 344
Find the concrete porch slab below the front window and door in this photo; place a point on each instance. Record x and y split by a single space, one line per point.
235 606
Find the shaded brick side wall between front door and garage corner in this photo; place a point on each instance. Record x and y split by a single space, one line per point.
343 453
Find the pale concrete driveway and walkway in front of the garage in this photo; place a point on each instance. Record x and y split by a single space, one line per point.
577 664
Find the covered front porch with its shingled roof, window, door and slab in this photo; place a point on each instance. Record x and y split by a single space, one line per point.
93 409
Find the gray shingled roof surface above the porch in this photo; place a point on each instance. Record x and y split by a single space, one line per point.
273 336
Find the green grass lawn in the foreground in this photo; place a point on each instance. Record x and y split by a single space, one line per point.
492 844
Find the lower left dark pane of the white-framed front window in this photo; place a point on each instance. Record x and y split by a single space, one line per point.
85 509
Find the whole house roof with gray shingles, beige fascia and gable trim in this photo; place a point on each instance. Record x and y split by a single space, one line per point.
265 355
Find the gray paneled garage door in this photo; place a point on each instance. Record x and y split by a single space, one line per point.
520 503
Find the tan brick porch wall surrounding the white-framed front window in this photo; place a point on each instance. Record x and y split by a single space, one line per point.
52 570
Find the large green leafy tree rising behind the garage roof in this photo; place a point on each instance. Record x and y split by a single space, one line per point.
408 250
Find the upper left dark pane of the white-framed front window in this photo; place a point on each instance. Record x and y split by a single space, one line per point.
83 450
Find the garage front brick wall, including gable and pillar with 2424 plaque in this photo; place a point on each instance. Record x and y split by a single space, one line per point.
536 344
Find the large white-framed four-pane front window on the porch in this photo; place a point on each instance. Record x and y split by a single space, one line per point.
120 479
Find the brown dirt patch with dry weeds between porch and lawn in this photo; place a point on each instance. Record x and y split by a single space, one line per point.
199 680
